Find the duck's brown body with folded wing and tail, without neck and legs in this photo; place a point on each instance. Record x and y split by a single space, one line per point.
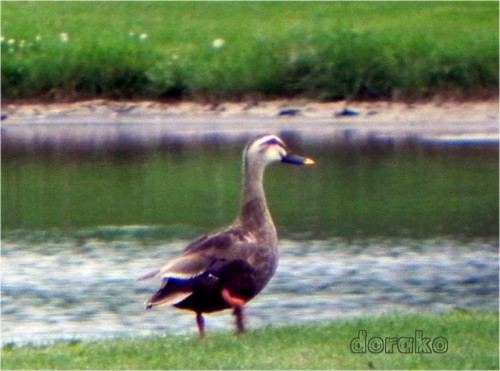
232 259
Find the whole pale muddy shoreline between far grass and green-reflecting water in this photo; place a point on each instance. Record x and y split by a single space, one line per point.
107 124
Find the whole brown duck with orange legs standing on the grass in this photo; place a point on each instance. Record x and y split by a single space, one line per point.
227 268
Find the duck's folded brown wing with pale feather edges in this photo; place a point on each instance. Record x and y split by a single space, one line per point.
229 244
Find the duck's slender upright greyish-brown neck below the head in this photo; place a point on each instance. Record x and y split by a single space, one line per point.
255 217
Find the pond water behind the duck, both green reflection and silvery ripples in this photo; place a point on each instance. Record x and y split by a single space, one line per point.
376 227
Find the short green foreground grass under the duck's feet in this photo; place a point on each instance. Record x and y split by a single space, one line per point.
472 340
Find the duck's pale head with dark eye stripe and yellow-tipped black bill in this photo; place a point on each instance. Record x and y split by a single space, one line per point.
269 149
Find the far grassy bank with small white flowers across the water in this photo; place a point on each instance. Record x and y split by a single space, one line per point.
211 50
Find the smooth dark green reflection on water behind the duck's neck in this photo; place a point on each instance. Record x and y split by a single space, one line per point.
378 189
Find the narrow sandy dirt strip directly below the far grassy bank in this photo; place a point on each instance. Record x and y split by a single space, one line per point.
482 111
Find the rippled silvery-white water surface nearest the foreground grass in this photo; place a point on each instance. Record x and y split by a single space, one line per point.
83 286
